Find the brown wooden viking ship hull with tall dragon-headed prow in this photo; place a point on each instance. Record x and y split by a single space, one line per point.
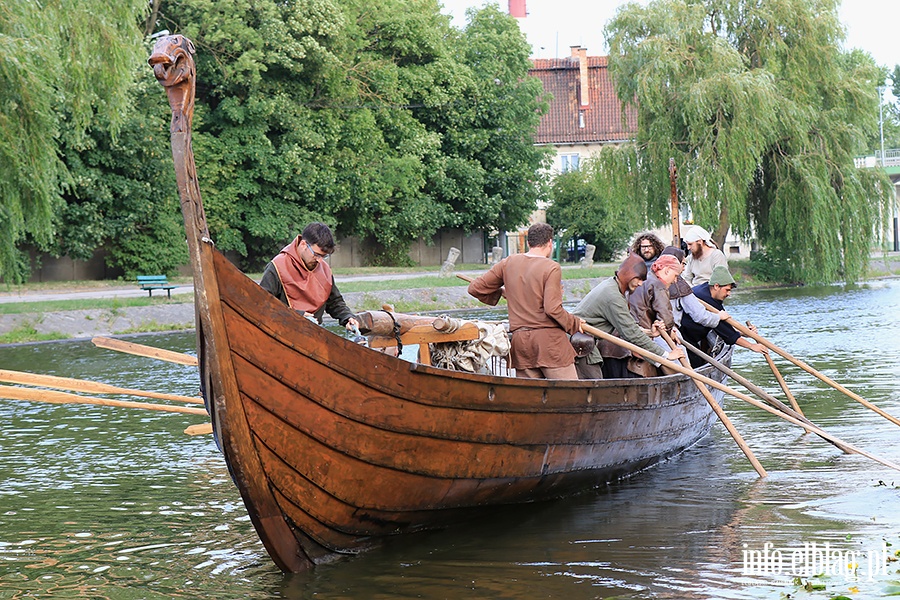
335 446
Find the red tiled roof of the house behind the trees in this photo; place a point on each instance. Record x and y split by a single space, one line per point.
603 114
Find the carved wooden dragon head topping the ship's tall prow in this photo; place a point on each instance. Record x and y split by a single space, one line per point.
173 64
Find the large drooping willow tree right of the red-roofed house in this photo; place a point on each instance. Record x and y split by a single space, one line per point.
763 112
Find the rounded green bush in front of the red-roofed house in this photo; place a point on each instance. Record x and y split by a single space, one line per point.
594 203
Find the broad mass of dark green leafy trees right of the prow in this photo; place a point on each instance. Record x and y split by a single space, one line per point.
378 118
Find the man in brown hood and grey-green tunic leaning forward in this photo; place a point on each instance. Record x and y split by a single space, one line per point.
606 308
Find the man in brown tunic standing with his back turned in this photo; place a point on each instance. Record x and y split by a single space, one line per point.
540 326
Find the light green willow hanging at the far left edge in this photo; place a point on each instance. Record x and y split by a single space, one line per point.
59 62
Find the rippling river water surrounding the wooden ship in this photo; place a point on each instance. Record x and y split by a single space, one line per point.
101 502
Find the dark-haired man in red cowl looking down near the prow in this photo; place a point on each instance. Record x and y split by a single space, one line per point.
300 277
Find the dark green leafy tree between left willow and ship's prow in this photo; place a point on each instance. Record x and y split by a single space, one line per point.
122 194
